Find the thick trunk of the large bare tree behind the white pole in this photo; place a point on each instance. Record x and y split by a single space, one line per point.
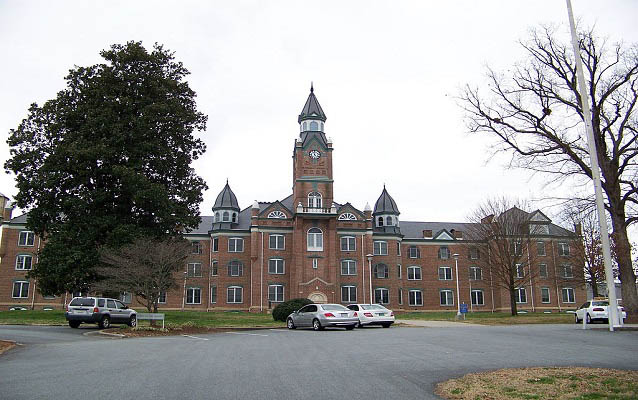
625 267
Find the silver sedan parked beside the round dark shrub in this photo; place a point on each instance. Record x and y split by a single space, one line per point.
319 316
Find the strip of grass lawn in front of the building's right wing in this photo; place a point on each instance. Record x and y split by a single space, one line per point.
488 318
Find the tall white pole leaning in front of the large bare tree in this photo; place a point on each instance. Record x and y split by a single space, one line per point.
595 171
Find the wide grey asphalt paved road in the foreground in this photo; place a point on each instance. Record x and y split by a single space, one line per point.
371 363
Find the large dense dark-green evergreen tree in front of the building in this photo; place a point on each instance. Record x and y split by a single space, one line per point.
107 160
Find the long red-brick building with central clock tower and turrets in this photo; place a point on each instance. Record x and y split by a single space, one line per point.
308 245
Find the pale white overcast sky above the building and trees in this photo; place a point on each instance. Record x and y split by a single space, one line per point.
385 72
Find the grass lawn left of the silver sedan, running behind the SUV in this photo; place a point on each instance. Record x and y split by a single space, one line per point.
213 319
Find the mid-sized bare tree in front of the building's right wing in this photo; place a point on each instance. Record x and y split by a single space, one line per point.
508 243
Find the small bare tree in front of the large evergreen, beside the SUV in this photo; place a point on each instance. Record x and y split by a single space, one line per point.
145 268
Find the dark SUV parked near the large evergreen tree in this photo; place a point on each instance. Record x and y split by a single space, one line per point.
100 310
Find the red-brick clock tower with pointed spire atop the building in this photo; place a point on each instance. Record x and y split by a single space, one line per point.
312 161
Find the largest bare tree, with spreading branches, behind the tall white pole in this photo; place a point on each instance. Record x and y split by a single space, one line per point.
534 113
